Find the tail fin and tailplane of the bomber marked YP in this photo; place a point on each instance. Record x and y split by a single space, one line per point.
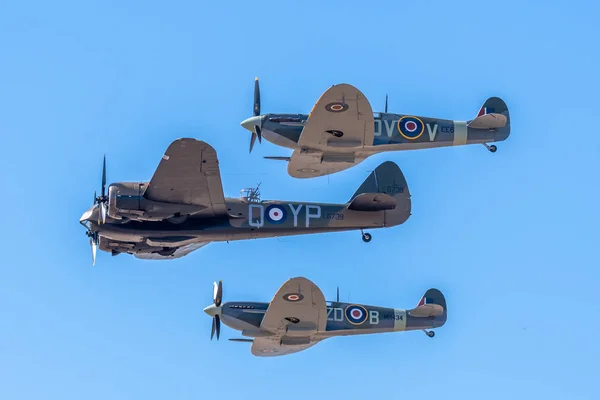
385 189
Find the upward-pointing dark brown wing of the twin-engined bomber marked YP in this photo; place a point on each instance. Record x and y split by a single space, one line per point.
188 174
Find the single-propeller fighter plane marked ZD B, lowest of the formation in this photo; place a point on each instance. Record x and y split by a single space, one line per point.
298 317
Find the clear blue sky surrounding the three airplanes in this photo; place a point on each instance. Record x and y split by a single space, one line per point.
511 238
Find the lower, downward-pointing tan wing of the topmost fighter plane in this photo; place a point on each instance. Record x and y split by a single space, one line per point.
313 164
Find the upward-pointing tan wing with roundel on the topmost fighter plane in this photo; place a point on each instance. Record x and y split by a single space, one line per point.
341 118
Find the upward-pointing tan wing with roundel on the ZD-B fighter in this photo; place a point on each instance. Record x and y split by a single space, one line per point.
298 300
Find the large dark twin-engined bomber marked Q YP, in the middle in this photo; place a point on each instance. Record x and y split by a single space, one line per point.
183 208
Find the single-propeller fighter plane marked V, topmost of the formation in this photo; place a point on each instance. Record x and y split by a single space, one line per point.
342 131
